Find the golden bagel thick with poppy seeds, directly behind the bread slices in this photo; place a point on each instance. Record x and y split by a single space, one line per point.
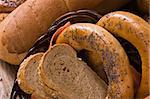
104 49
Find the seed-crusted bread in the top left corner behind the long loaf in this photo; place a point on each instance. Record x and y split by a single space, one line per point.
9 5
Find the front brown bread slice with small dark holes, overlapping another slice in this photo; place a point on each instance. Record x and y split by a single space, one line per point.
61 70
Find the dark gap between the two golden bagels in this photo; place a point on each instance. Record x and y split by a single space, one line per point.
133 54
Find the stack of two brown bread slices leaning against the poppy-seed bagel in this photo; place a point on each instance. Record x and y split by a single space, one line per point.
60 74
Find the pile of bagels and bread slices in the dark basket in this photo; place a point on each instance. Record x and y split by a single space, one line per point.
61 74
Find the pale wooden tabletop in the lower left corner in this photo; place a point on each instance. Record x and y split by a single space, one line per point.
7 77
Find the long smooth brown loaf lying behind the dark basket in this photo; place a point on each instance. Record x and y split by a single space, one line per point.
30 20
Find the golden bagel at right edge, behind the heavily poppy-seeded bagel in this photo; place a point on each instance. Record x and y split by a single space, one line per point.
137 31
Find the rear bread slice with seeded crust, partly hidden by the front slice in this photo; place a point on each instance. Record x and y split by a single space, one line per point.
29 82
